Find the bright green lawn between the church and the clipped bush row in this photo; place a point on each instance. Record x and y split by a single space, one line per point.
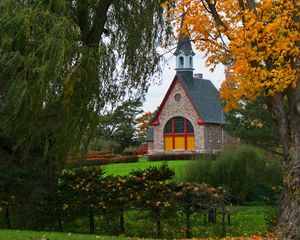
124 168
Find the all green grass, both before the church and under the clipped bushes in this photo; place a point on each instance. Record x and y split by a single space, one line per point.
246 220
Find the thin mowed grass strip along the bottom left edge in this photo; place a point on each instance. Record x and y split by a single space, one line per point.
32 235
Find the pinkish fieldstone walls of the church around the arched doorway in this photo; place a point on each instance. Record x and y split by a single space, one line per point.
209 138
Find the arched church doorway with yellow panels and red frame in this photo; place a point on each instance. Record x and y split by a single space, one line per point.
179 134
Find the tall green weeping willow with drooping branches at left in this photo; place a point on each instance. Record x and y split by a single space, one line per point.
62 63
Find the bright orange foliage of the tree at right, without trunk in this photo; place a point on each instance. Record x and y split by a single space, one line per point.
257 40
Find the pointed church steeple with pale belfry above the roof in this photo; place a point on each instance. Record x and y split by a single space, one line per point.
184 52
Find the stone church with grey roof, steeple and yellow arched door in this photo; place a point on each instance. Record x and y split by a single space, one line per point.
190 115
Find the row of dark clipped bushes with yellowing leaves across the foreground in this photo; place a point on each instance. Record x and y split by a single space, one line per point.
86 192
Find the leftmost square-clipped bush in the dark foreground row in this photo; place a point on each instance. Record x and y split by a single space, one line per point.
79 192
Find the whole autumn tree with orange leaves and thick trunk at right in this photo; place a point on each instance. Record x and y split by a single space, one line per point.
259 41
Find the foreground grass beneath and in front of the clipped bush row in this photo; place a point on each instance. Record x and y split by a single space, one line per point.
246 220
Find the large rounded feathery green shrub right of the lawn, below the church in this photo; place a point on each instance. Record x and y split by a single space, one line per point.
240 169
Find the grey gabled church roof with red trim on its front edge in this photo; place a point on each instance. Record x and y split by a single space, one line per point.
203 95
